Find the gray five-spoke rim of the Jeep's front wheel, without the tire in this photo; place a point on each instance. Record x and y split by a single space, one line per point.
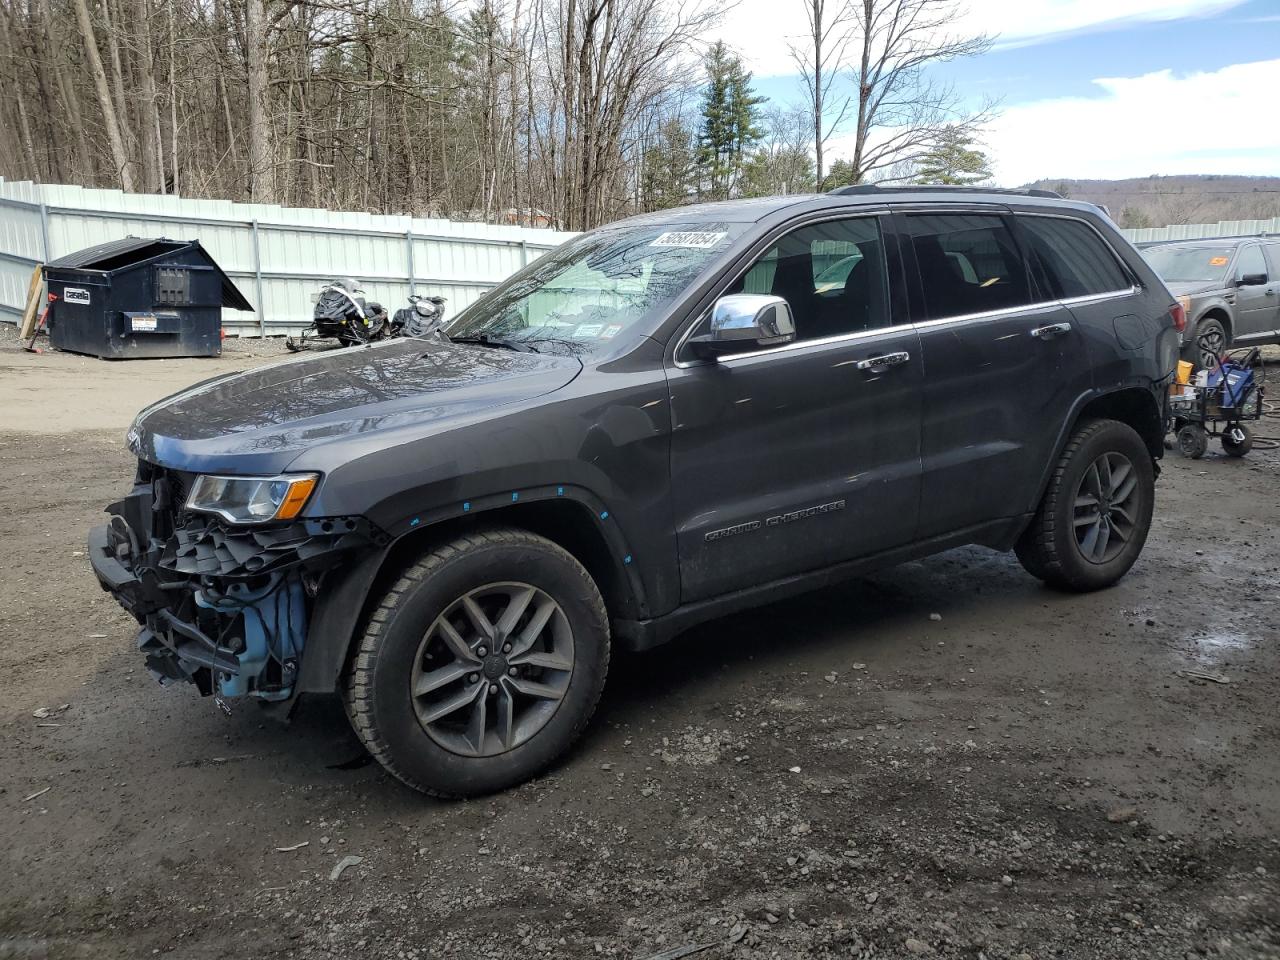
492 670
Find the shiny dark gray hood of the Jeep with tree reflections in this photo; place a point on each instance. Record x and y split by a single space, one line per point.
262 419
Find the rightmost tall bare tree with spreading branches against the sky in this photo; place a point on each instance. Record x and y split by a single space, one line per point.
902 112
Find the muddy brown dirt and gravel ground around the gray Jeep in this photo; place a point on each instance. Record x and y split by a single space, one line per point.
1027 775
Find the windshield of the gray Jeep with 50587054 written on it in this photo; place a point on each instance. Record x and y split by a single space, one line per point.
597 287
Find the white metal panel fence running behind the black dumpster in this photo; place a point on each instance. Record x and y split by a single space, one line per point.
278 257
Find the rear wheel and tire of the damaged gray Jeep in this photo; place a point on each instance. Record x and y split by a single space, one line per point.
1095 516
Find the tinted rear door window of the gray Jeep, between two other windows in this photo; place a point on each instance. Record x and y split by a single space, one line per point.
970 264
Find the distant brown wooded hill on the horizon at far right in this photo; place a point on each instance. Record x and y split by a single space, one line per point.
1159 202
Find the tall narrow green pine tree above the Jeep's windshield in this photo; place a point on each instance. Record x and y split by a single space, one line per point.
730 124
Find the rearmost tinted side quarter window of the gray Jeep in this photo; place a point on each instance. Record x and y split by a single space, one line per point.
1073 260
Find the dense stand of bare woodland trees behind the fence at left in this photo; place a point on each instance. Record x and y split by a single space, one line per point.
510 111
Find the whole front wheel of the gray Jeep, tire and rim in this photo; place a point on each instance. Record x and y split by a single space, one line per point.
482 665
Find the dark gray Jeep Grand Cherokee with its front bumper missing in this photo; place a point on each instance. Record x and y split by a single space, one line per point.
665 420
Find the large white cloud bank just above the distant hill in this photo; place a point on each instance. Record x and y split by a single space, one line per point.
1158 124
